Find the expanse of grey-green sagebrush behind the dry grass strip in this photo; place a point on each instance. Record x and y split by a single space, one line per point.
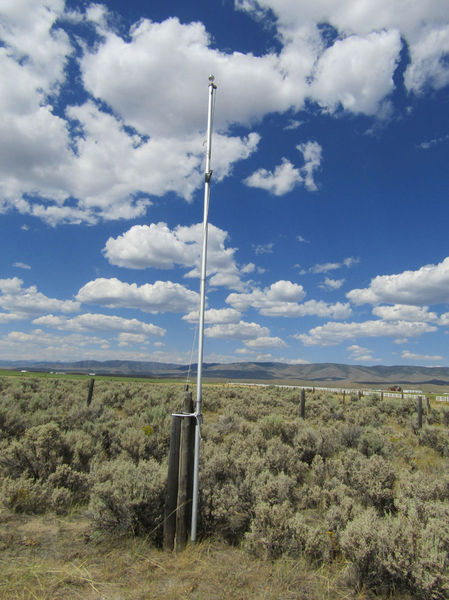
355 481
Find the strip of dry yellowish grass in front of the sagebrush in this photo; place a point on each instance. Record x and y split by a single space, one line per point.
52 558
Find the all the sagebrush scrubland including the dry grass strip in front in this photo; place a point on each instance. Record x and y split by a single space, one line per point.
352 502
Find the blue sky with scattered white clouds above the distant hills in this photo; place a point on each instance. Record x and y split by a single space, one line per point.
328 220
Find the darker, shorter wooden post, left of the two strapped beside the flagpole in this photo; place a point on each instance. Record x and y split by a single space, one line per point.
171 493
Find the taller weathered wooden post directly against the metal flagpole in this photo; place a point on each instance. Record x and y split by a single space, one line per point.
185 480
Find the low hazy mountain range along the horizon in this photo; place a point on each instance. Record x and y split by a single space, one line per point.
318 373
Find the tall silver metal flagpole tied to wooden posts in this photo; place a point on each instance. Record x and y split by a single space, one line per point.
197 414
